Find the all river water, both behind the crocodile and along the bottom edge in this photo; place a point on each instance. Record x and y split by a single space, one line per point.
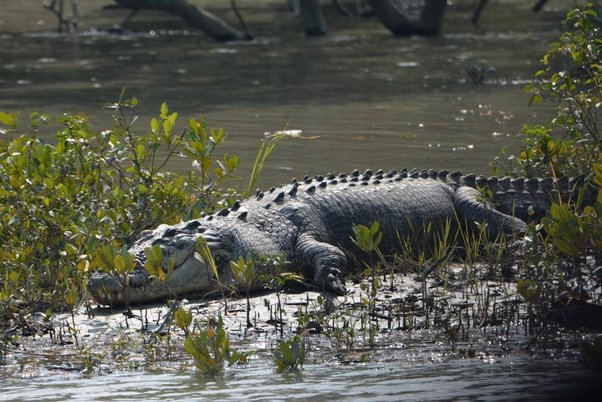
374 100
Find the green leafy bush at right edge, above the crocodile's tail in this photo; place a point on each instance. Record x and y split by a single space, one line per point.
571 78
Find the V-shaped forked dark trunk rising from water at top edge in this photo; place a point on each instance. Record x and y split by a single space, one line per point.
391 15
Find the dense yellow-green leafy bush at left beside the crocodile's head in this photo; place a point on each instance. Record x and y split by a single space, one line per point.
75 205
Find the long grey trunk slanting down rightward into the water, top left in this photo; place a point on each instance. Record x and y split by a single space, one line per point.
195 16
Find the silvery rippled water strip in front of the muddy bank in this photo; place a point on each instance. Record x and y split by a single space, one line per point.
504 379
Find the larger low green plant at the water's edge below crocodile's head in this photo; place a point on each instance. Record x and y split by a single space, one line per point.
209 346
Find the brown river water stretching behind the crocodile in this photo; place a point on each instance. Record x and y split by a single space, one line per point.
376 101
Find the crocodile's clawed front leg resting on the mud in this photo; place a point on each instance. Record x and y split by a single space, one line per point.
327 261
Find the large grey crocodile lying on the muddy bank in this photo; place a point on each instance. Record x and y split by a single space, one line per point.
306 226
